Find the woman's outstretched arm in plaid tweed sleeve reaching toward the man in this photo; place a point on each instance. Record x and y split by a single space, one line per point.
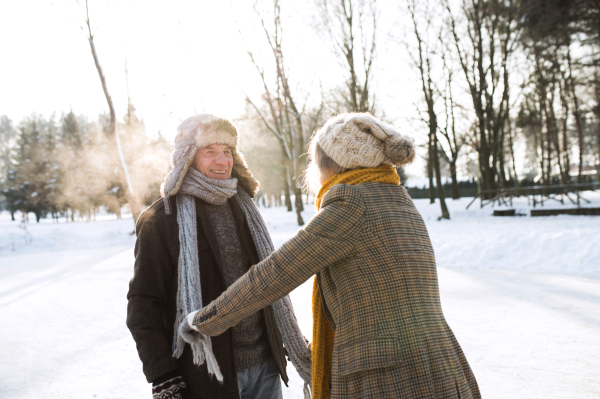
329 237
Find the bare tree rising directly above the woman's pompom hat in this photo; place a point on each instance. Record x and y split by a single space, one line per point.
351 28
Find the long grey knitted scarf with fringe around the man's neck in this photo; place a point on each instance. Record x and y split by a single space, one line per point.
189 294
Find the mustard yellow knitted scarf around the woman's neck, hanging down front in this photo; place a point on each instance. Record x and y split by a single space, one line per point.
323 335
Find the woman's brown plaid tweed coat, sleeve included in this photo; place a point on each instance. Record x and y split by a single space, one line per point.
376 272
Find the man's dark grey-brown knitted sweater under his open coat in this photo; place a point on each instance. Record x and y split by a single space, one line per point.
251 346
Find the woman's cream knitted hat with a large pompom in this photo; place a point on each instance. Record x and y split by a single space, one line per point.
358 140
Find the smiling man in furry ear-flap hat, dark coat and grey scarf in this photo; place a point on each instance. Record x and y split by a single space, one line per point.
191 245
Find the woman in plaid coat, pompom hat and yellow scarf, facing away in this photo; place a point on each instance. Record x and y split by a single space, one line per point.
379 330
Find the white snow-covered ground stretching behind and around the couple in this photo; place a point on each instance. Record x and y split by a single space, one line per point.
522 295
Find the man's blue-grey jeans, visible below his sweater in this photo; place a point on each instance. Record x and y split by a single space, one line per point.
260 382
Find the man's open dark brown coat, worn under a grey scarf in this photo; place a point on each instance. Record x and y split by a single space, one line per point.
152 295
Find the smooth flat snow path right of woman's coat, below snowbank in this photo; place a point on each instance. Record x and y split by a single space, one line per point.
526 335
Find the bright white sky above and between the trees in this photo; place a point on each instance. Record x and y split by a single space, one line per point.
182 58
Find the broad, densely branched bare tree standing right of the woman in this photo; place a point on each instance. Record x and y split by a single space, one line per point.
491 32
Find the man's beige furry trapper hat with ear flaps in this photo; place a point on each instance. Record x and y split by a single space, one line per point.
200 131
